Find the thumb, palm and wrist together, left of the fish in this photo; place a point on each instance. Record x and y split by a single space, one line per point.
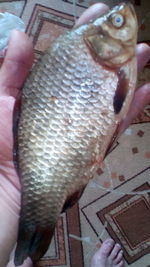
13 72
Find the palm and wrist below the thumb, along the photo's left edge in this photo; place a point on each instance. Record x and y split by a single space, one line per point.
9 182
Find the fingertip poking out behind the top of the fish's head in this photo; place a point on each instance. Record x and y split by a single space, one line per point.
91 13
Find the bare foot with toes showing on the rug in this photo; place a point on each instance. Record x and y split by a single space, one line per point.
109 255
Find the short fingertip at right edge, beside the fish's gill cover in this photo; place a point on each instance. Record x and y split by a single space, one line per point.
143 55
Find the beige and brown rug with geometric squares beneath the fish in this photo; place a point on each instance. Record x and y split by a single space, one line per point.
116 203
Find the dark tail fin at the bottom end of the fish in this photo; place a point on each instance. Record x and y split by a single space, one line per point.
32 242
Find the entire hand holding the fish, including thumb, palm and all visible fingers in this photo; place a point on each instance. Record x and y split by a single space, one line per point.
13 72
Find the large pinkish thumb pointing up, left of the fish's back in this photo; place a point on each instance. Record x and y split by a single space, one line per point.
17 63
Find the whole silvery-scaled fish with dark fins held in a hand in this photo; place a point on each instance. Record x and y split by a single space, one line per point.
67 118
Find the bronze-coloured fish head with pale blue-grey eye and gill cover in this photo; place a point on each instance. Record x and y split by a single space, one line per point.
112 37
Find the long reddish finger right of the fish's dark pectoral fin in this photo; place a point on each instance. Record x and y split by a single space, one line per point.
140 100
